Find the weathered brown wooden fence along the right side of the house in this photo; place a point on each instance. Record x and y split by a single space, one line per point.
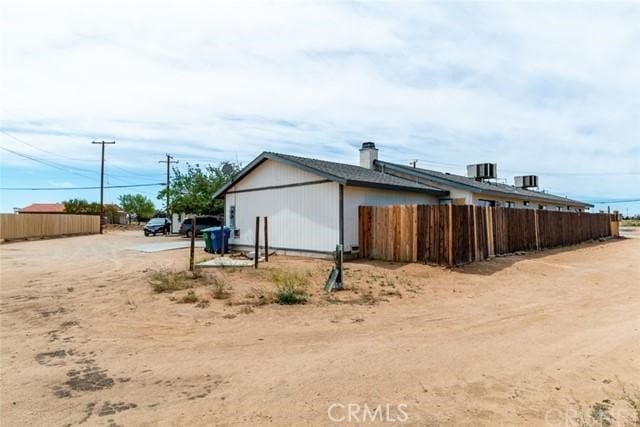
455 235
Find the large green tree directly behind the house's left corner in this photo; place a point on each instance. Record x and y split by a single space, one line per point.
192 190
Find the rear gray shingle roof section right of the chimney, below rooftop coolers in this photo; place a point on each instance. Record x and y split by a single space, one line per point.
471 184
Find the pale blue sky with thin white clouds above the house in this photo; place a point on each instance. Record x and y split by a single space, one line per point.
544 88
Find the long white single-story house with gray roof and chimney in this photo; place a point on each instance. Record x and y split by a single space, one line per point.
312 205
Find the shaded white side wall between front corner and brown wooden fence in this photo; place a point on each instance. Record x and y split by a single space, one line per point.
360 196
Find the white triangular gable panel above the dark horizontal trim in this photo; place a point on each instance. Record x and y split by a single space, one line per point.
274 173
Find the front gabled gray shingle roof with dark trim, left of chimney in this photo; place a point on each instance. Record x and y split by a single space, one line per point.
339 172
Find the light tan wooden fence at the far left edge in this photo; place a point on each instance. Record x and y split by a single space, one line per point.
22 226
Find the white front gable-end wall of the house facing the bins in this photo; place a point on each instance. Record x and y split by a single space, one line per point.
304 218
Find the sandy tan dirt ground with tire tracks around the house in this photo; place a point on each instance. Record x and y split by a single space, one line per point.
543 339
